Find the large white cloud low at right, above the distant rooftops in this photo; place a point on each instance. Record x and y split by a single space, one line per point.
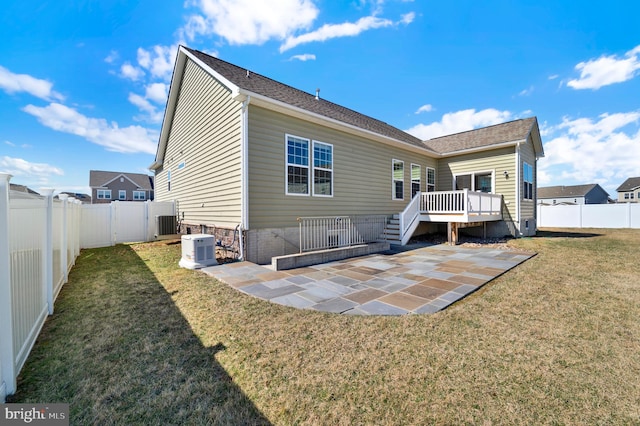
604 150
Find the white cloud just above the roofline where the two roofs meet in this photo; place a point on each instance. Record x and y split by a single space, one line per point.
460 121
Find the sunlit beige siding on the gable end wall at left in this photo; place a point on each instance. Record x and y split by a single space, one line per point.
206 135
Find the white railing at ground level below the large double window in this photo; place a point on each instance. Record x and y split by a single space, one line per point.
320 233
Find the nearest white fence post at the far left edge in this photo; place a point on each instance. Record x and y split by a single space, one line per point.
7 364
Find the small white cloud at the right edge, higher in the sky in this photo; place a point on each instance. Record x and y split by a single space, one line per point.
607 70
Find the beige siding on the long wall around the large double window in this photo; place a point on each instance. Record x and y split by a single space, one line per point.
362 172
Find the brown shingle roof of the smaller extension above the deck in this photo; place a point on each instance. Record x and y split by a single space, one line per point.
486 136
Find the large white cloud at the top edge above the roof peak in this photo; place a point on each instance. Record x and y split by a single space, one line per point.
250 22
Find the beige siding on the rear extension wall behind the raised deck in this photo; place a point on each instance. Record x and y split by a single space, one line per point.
497 161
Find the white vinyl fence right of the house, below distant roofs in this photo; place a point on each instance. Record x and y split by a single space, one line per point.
620 215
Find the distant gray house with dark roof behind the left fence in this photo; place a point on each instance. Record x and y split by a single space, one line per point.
112 186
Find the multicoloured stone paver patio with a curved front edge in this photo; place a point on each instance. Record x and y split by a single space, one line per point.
423 280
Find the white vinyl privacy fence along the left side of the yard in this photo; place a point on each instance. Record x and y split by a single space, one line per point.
40 239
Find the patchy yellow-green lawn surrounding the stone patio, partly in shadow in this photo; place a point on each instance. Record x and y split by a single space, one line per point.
137 340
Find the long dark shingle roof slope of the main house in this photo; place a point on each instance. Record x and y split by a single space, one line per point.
272 89
